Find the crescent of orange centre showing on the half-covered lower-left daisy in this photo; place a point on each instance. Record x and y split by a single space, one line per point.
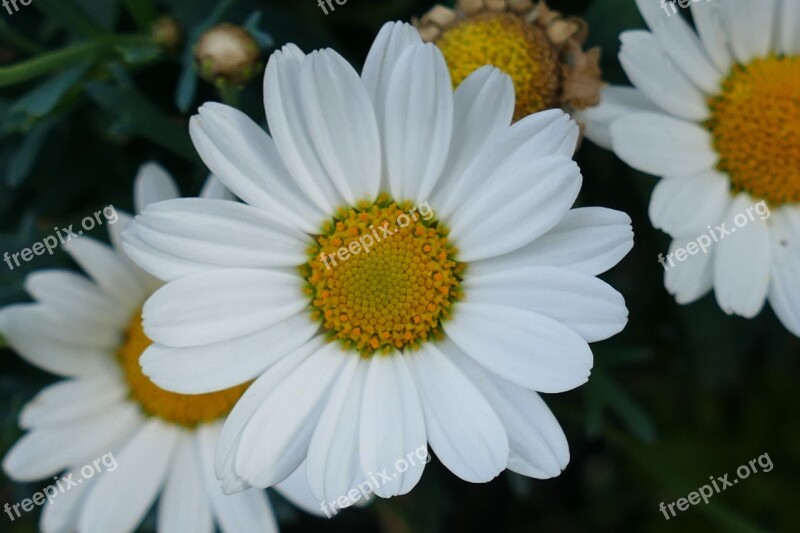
183 409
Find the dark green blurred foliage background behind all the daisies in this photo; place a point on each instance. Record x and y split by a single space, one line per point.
88 92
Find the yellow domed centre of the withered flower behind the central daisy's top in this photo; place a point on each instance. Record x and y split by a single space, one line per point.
518 48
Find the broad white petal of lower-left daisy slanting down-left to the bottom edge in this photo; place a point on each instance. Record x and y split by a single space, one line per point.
120 499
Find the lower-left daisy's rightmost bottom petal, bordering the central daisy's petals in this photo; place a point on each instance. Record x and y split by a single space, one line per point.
245 512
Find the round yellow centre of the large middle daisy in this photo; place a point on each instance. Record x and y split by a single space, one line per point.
381 277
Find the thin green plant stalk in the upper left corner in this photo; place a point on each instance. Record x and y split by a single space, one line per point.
66 57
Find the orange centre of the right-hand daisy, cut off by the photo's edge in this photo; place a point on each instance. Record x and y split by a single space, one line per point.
755 124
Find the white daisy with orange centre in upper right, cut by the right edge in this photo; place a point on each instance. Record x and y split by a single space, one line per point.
716 113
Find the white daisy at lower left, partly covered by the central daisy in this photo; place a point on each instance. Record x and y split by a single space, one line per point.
89 331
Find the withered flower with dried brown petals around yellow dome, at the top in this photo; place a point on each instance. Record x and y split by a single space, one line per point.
539 48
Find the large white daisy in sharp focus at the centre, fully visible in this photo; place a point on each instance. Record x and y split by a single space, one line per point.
440 332
